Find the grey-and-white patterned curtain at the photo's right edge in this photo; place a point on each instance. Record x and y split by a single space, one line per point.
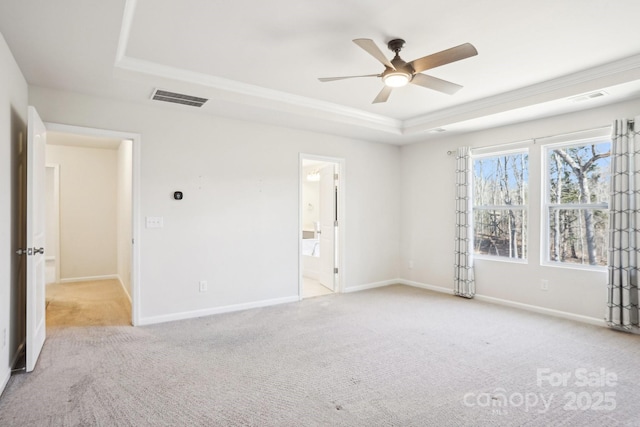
624 220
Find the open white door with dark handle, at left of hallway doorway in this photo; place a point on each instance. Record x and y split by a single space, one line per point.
36 316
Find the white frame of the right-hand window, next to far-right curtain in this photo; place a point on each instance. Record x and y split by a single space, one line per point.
546 205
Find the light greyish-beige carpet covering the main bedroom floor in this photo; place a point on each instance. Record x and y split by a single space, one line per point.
393 356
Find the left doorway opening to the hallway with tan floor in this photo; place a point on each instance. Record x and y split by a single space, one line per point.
92 277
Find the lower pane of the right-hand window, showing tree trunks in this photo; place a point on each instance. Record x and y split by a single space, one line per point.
578 236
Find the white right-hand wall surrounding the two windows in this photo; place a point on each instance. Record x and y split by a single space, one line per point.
427 185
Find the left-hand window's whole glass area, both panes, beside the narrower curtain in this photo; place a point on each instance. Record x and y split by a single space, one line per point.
500 187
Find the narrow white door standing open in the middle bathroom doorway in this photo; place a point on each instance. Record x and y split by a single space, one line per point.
327 226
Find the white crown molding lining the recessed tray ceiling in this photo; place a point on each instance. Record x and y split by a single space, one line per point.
617 72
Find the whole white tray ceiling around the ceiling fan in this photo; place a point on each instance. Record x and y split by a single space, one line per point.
260 60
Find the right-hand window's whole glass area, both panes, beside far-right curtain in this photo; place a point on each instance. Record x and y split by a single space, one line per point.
577 202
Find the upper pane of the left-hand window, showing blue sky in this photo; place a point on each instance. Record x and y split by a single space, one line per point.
501 180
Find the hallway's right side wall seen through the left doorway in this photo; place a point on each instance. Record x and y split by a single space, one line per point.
124 218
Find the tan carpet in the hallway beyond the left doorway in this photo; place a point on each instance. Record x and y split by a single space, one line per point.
94 303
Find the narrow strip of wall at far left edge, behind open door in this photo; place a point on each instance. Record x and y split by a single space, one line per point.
13 118
